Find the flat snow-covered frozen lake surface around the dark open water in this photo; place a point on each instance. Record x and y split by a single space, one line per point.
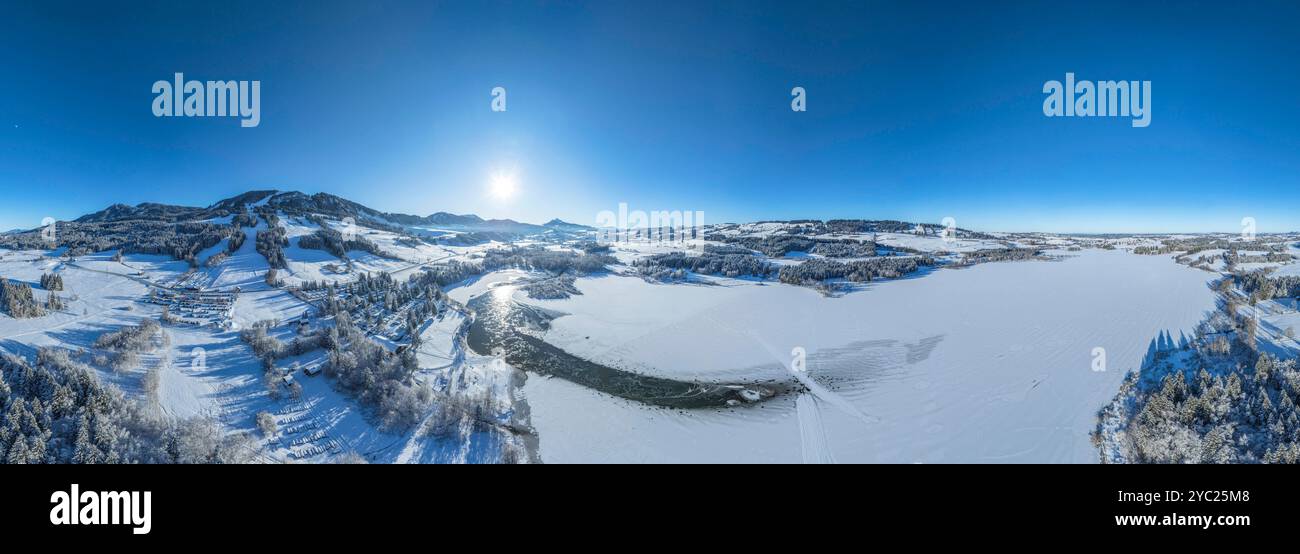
994 363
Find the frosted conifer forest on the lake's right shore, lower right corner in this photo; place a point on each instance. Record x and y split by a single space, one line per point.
1214 399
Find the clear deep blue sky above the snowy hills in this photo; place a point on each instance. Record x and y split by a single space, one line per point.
916 111
